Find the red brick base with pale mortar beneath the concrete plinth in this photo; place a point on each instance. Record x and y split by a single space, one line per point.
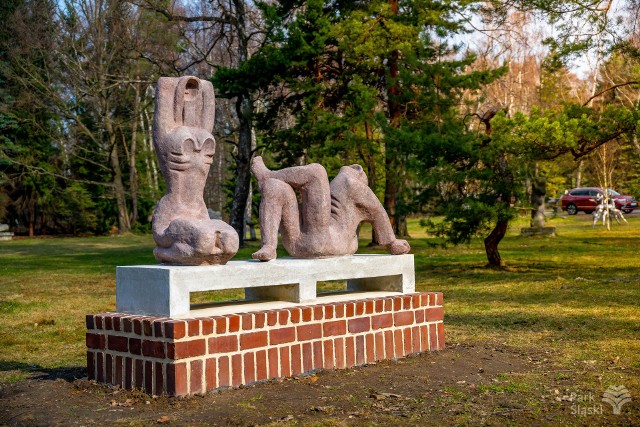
190 356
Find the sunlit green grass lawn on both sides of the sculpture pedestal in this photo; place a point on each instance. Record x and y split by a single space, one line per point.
574 299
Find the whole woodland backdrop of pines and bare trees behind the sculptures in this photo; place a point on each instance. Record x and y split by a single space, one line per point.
452 107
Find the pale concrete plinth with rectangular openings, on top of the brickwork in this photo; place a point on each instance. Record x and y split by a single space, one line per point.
163 290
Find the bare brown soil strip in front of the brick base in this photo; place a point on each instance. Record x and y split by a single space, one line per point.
461 385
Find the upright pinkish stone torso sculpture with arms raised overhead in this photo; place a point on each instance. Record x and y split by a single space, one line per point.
182 127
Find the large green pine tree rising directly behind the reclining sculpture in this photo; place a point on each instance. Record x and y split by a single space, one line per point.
372 82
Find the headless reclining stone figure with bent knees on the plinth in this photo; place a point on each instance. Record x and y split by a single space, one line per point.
327 222
